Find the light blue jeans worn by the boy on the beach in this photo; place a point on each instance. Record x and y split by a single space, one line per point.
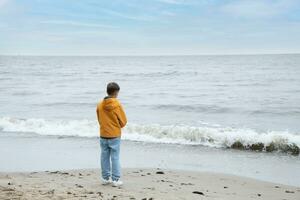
110 151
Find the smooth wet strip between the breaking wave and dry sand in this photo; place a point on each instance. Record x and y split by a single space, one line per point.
20 154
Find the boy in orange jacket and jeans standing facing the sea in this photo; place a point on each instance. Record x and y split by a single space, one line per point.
111 118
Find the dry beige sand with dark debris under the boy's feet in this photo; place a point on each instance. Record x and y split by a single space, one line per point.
143 184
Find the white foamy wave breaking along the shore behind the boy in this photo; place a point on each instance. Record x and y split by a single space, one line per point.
219 137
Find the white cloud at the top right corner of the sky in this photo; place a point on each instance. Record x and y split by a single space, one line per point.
258 8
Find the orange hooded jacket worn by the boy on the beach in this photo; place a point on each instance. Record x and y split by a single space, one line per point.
111 117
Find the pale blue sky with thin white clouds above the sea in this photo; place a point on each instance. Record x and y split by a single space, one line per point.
149 27
